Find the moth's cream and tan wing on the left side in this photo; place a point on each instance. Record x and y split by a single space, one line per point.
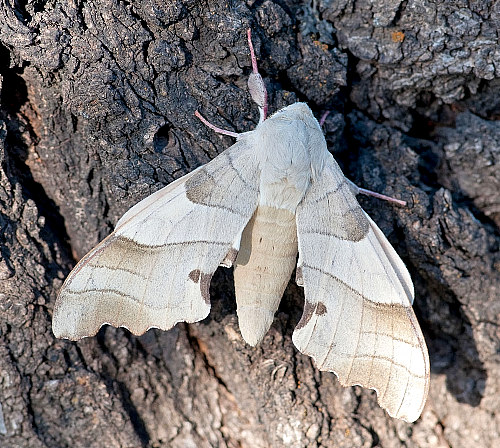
154 270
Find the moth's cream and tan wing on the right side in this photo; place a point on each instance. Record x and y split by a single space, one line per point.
358 321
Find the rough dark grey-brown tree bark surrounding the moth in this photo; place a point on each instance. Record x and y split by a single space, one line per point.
97 102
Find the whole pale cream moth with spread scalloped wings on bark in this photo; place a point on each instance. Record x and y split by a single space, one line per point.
275 194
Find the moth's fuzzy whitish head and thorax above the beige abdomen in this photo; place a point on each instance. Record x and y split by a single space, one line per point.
291 151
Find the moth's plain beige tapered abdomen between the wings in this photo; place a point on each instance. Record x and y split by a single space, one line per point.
263 267
